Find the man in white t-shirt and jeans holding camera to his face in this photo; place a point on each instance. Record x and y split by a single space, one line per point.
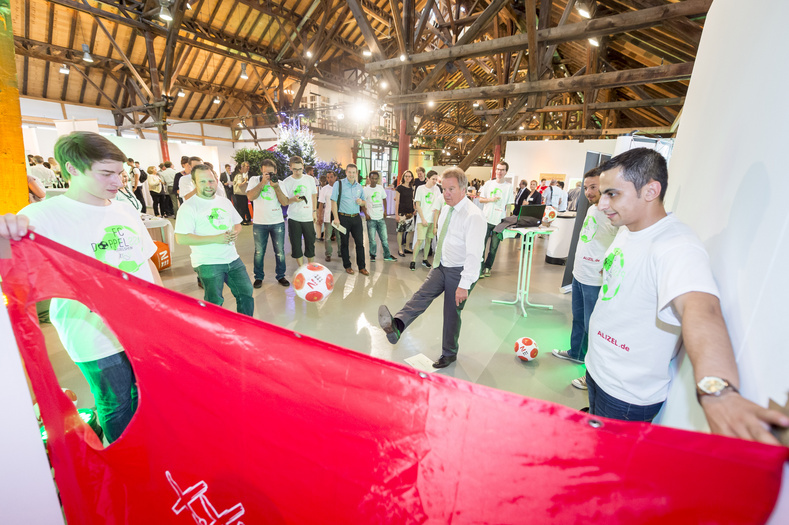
268 199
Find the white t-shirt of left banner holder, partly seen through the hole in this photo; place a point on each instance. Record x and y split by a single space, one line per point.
114 235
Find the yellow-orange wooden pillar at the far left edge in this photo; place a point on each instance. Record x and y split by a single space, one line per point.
13 176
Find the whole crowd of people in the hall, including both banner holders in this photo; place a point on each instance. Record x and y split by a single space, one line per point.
642 278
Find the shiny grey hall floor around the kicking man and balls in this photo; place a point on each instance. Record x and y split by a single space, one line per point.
349 318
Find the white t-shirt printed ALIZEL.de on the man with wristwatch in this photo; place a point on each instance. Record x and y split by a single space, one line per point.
634 331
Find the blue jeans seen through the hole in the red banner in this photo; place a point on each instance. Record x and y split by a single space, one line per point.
114 389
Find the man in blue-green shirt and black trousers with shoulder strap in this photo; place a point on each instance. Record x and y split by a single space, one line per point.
347 200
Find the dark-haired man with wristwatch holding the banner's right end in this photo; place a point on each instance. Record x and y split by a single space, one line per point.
658 286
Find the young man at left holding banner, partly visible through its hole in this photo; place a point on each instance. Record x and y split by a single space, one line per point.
88 219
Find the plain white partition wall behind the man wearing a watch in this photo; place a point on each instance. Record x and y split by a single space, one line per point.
728 181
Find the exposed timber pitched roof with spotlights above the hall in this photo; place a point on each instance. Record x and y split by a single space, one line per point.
469 69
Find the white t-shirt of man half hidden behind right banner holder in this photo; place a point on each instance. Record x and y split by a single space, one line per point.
596 236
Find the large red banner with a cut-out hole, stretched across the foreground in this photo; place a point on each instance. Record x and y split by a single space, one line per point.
243 422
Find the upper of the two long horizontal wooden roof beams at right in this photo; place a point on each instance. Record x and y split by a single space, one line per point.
556 35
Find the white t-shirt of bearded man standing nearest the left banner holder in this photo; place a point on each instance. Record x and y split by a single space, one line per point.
208 217
